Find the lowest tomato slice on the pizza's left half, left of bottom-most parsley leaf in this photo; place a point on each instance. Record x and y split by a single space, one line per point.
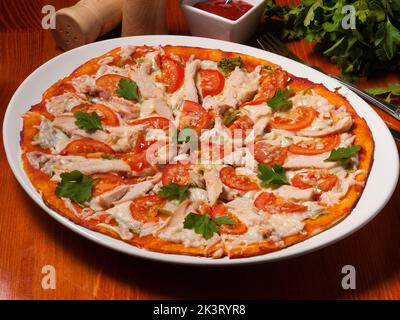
145 208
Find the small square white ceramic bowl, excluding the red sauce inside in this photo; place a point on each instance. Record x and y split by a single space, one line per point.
205 24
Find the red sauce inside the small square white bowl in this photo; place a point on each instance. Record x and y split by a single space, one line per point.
232 11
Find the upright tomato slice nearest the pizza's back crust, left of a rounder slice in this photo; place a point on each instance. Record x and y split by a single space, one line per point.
173 73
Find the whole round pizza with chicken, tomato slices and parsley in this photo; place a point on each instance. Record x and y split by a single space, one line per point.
195 151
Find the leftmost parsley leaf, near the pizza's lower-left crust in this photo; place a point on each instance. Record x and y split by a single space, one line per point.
75 186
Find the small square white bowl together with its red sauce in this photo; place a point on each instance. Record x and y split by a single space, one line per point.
235 21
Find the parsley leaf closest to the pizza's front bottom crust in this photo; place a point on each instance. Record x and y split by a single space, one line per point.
202 223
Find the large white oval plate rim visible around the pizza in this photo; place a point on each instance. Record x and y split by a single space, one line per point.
378 190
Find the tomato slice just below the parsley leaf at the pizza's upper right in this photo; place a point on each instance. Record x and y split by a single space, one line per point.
297 119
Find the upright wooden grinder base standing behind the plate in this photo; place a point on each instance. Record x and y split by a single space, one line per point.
143 17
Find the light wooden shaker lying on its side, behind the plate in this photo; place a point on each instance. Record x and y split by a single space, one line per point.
86 21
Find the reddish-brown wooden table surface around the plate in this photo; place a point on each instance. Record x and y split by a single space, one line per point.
31 239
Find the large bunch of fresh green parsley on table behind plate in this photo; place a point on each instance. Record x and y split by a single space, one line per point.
374 44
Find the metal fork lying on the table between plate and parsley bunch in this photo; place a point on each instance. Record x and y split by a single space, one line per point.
270 43
